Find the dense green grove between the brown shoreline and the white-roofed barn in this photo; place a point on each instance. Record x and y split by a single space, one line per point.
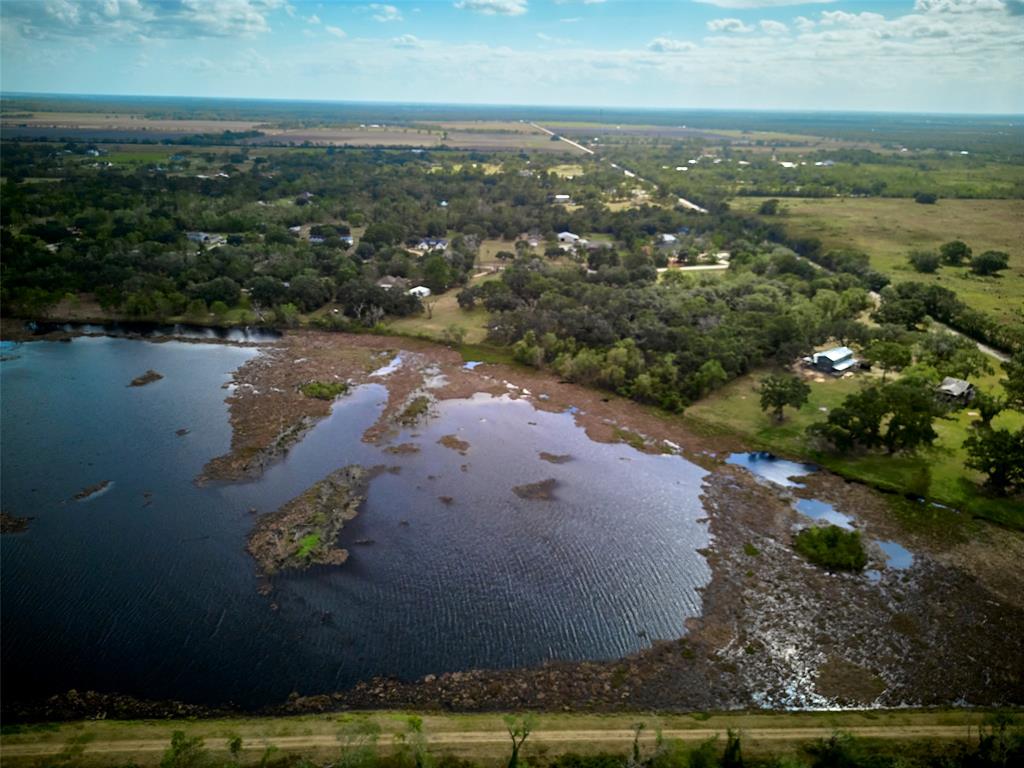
667 343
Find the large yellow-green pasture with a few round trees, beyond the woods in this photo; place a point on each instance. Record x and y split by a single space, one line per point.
888 229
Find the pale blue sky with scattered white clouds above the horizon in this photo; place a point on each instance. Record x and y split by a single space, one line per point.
907 56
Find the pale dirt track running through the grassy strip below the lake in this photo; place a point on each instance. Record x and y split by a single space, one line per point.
464 739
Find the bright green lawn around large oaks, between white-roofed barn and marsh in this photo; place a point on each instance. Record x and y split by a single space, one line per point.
936 474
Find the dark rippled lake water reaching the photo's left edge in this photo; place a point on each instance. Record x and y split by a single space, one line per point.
147 588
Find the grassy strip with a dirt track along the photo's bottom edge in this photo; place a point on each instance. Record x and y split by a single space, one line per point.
479 738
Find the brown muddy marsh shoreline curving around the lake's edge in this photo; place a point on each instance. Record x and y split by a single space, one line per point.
776 632
